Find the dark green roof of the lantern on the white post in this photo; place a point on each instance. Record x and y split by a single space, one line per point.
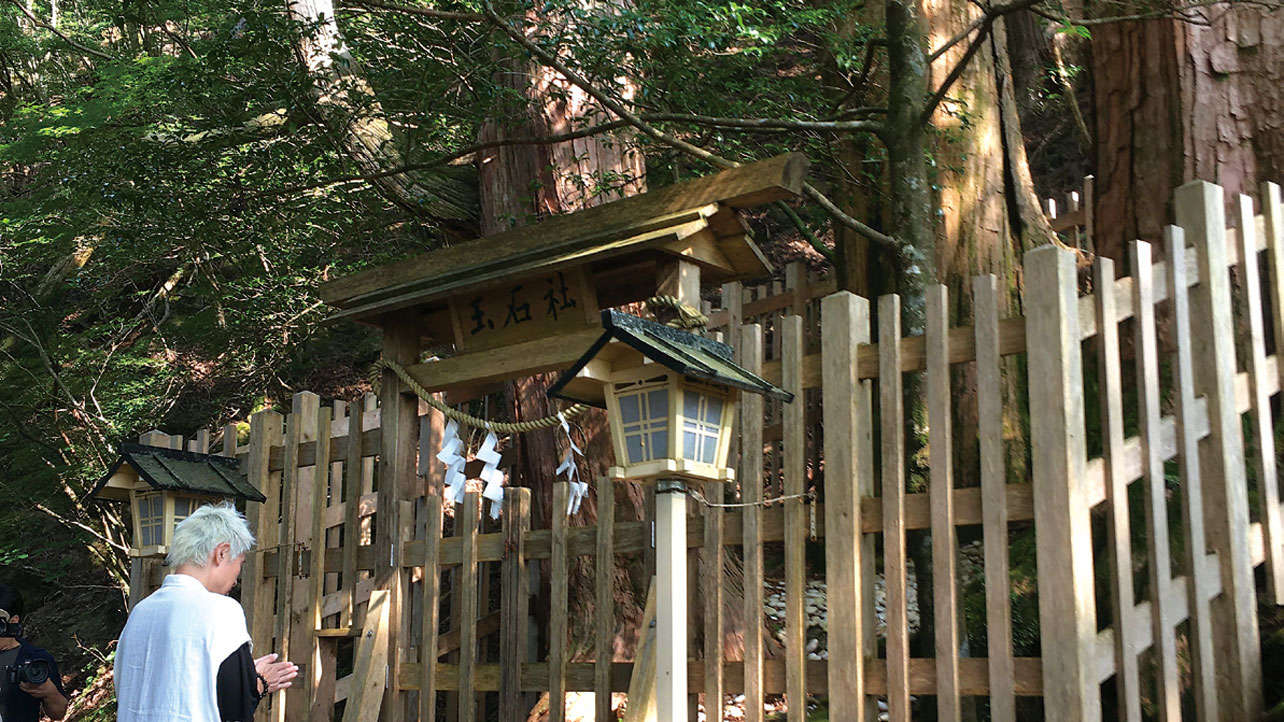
680 351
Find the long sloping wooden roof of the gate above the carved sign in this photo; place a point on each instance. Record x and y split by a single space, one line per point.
695 220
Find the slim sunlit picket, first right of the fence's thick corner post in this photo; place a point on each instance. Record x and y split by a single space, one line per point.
1123 603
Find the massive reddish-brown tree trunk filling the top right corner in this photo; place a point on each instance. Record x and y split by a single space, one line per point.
1178 102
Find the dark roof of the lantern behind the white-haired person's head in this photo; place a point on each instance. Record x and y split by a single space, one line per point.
171 470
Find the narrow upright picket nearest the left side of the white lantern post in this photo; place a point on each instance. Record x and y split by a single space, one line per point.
604 588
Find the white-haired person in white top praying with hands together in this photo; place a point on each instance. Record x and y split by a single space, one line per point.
186 652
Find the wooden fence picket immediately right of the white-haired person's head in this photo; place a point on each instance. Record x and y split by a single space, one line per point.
265 431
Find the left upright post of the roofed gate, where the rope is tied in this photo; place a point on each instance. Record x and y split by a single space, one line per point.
397 481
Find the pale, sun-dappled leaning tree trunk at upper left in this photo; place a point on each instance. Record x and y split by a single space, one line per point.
349 107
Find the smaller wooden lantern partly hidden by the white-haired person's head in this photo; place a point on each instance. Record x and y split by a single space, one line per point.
165 486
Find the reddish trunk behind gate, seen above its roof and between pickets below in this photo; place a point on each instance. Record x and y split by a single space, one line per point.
521 186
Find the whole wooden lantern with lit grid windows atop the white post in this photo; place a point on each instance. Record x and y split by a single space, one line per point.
671 398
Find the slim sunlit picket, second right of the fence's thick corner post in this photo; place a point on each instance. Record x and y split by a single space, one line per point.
1168 691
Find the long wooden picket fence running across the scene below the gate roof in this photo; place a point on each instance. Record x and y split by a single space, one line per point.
406 622
